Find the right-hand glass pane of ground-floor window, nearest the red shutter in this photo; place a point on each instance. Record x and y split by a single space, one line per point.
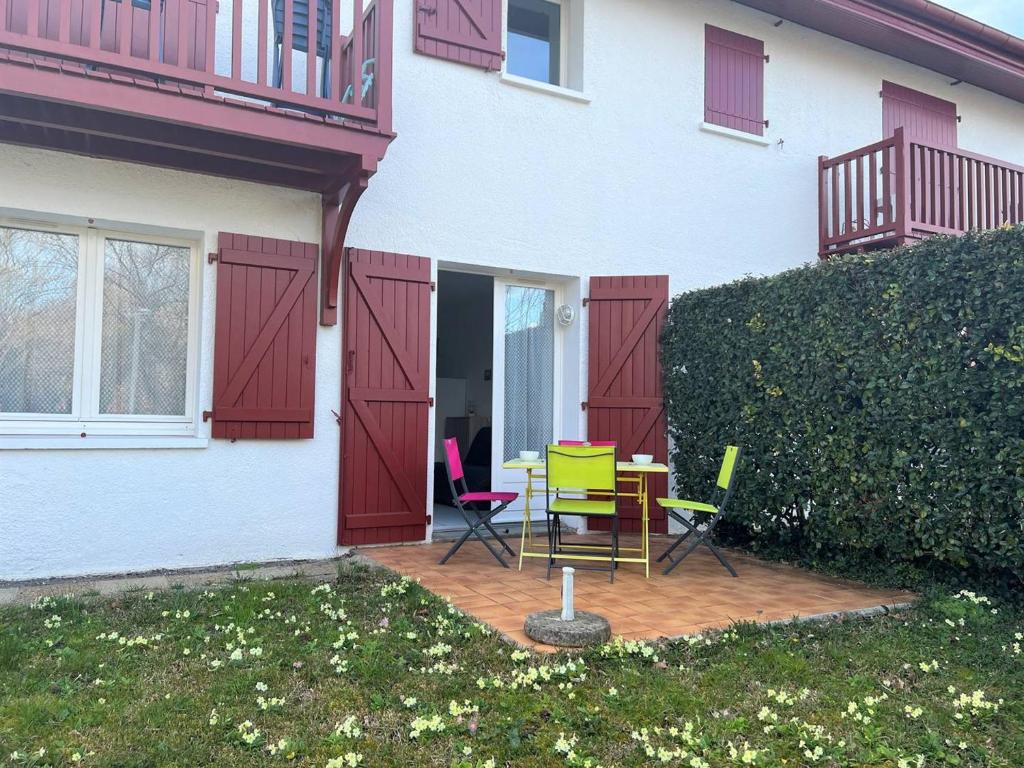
146 329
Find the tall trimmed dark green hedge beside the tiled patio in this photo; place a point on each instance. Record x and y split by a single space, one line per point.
880 402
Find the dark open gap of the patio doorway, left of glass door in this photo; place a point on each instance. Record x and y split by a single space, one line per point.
464 392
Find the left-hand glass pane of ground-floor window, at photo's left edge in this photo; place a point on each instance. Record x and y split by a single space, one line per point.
38 296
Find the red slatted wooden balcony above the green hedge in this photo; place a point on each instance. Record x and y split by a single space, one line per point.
899 190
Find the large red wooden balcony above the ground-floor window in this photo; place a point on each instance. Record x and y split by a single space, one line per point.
183 84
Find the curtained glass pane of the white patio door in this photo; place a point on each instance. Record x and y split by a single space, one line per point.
530 369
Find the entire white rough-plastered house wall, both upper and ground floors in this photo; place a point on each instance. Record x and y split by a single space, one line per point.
483 174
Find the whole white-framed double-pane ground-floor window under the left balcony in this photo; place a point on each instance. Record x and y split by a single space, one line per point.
98 332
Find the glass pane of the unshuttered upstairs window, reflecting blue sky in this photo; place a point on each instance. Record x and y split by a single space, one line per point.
535 40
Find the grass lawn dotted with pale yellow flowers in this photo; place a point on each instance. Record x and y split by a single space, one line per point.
374 671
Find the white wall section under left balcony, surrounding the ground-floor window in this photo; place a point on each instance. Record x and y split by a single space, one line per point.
93 511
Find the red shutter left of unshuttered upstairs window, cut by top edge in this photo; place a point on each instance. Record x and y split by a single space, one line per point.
464 31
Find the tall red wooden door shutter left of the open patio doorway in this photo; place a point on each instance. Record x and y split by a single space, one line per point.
387 370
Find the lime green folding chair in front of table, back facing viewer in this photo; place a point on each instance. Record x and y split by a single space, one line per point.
581 482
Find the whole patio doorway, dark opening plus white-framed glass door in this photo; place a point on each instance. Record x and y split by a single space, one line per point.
500 383
